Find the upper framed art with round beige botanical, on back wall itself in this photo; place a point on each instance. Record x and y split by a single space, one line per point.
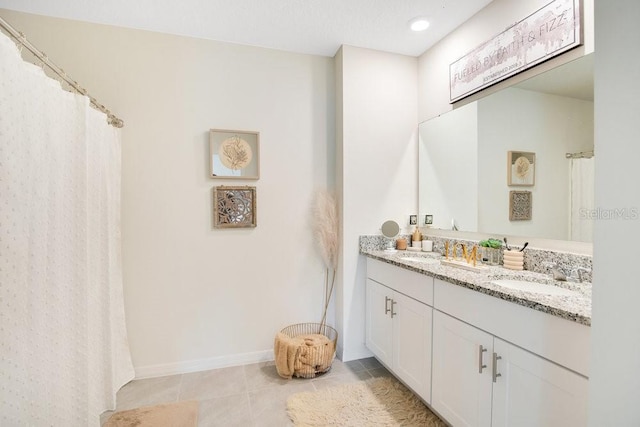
234 154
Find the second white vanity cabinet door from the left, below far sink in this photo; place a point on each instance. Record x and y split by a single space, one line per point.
412 322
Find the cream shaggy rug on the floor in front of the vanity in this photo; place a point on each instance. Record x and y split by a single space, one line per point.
375 402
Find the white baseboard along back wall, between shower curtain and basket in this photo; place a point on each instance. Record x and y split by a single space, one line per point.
183 367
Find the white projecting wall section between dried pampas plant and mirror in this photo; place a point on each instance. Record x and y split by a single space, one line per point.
377 167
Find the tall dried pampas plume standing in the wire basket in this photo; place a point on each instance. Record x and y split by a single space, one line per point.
325 232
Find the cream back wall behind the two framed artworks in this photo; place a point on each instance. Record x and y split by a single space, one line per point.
198 297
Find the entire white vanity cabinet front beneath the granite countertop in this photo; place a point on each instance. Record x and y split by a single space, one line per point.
476 359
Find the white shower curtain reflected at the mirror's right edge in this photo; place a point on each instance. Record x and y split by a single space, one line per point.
582 199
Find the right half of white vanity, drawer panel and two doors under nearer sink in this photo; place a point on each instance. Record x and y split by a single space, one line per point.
481 378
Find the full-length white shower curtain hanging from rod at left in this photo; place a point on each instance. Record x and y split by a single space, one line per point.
63 344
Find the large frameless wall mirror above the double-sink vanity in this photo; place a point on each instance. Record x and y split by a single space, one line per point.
464 168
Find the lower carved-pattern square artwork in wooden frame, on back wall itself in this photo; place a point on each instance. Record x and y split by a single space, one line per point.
234 207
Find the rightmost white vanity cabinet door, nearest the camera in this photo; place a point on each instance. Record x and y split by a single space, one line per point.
531 391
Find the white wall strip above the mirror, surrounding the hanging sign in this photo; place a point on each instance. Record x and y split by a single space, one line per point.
433 68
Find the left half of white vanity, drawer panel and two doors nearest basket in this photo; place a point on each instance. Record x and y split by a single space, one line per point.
399 323
